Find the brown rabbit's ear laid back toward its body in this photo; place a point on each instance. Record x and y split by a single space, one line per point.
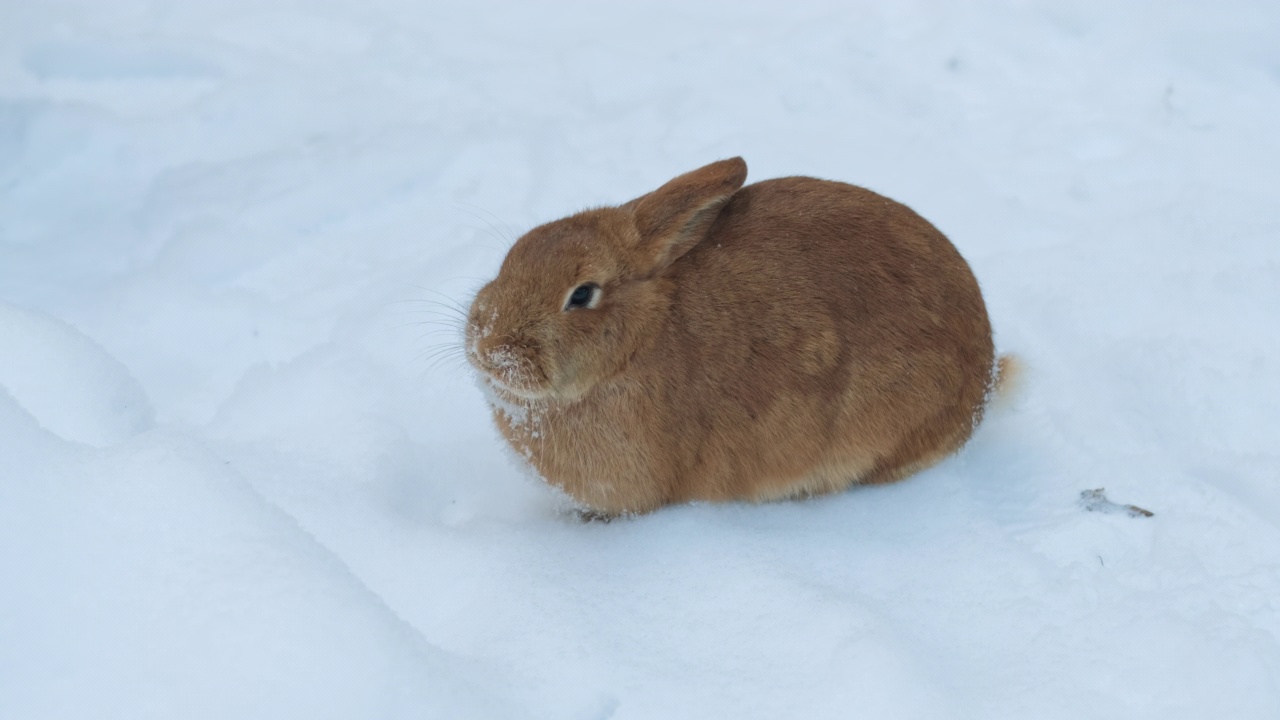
674 218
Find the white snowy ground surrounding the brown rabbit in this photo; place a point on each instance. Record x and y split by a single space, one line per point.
235 484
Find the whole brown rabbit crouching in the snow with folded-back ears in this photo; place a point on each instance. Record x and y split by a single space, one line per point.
710 341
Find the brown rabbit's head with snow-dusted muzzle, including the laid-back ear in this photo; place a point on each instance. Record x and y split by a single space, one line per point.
577 298
